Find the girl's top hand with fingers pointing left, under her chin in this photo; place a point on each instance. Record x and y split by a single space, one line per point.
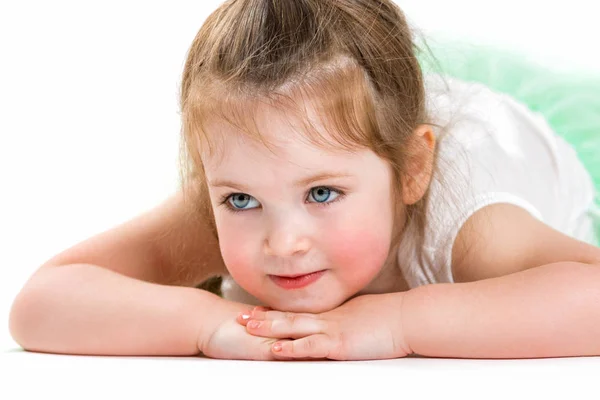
367 327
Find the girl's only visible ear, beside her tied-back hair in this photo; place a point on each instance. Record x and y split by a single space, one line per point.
419 166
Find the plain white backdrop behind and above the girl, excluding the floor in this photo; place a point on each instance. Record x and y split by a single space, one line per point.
89 119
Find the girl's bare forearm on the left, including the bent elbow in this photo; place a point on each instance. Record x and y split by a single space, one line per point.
86 309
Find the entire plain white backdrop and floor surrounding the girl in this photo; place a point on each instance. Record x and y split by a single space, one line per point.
88 138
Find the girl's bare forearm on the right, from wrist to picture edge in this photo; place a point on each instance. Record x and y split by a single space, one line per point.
549 311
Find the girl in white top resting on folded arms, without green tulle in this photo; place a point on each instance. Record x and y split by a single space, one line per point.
371 210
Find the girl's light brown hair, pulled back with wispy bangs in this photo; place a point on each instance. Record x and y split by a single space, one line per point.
356 58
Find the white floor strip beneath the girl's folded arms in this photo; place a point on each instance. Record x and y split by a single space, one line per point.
76 377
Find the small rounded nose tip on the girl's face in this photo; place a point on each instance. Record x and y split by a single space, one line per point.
287 236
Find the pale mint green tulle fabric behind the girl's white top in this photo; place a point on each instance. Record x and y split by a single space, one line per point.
569 101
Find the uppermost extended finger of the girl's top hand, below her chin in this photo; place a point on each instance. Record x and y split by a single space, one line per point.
294 326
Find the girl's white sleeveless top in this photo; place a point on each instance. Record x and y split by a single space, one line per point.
495 150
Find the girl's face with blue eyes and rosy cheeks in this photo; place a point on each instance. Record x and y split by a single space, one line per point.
299 211
